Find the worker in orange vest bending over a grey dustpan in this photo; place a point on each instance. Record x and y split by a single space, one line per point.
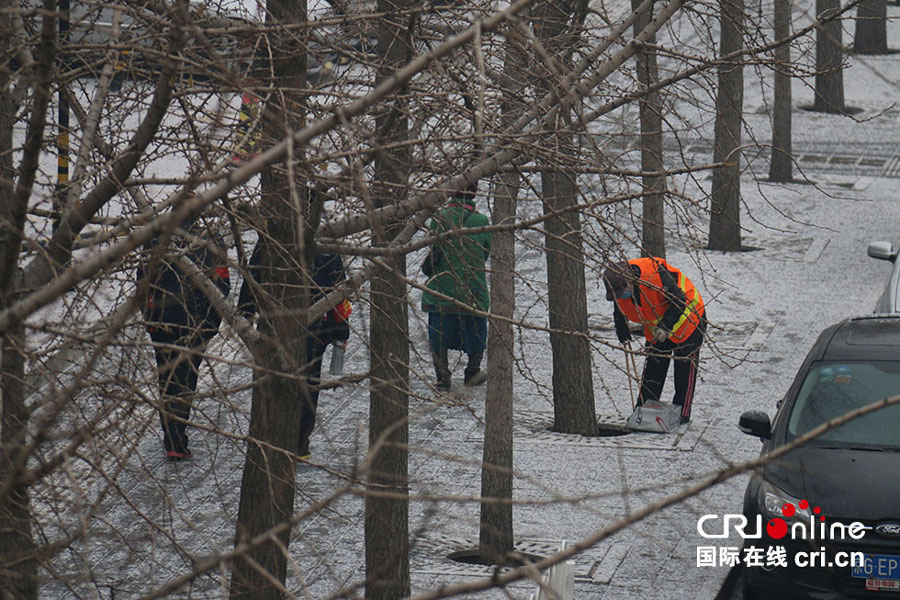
660 297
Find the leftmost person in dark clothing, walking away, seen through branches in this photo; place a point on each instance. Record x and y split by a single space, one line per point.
181 321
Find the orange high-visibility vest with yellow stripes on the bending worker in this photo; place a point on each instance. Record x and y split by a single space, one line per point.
654 304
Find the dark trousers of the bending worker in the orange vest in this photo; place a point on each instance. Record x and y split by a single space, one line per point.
687 358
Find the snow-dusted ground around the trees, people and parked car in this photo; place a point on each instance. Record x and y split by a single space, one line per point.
765 308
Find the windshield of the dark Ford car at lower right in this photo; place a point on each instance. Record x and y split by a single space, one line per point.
834 389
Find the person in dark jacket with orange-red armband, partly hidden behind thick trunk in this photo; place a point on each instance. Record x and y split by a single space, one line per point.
328 272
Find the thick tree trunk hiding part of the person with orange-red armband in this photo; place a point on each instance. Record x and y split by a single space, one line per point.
267 485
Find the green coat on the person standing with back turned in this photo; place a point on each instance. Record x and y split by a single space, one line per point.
458 263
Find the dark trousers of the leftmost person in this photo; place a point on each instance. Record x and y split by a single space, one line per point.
179 352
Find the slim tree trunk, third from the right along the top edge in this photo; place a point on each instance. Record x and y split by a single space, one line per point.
782 163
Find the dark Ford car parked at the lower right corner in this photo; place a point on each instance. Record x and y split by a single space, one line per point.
832 504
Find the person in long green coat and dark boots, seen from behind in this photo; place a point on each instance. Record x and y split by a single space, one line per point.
457 286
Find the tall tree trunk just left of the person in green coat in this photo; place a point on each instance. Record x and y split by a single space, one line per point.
387 518
